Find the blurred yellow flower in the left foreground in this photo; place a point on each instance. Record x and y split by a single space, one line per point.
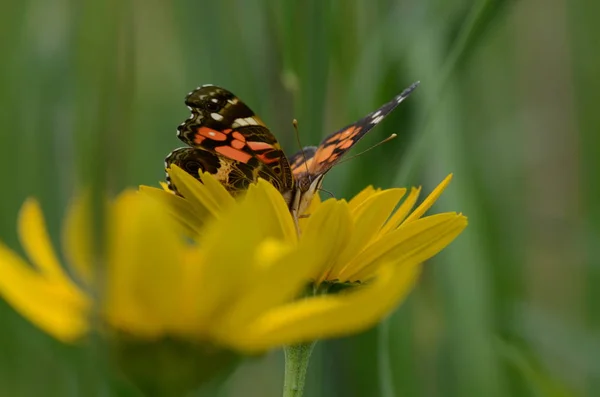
152 283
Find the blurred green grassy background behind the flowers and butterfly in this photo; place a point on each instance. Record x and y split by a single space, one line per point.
92 91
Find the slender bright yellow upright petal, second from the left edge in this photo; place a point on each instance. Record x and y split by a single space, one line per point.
36 243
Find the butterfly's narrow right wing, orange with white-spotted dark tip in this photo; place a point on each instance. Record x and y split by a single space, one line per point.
336 145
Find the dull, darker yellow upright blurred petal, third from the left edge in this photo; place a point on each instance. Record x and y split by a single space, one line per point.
77 238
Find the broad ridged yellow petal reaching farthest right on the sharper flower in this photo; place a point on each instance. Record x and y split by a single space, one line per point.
415 241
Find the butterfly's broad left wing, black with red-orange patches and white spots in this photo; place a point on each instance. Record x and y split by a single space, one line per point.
225 133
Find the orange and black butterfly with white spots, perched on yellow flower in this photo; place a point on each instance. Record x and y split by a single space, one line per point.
226 139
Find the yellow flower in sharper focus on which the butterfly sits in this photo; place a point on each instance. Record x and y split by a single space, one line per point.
362 243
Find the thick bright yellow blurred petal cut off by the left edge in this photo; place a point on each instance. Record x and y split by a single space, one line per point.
49 305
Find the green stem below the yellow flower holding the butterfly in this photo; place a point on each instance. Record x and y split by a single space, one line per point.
296 364
